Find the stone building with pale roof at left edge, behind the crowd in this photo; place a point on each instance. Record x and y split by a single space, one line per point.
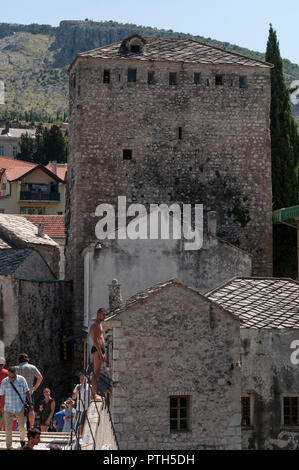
35 308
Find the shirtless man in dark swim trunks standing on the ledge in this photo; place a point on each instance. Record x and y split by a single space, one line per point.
97 351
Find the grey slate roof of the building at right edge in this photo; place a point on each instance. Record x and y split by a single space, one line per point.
260 302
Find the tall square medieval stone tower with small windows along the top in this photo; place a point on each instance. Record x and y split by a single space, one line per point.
170 120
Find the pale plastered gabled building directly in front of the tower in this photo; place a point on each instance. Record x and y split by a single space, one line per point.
138 264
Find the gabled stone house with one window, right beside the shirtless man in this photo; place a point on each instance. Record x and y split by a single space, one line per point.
173 357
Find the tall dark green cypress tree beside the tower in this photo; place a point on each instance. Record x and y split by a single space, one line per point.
285 158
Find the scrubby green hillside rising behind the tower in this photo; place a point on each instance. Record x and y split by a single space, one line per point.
34 60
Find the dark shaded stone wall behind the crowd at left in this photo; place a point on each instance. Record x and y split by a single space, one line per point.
39 319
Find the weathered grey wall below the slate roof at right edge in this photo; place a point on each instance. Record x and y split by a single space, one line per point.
268 374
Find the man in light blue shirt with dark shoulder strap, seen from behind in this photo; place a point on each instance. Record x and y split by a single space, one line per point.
16 390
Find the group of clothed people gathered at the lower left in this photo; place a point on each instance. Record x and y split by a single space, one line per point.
17 387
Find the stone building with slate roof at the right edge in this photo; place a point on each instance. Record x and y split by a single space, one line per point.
268 309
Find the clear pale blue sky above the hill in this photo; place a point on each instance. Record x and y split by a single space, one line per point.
234 21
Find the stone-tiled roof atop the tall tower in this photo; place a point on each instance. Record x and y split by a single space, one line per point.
175 50
